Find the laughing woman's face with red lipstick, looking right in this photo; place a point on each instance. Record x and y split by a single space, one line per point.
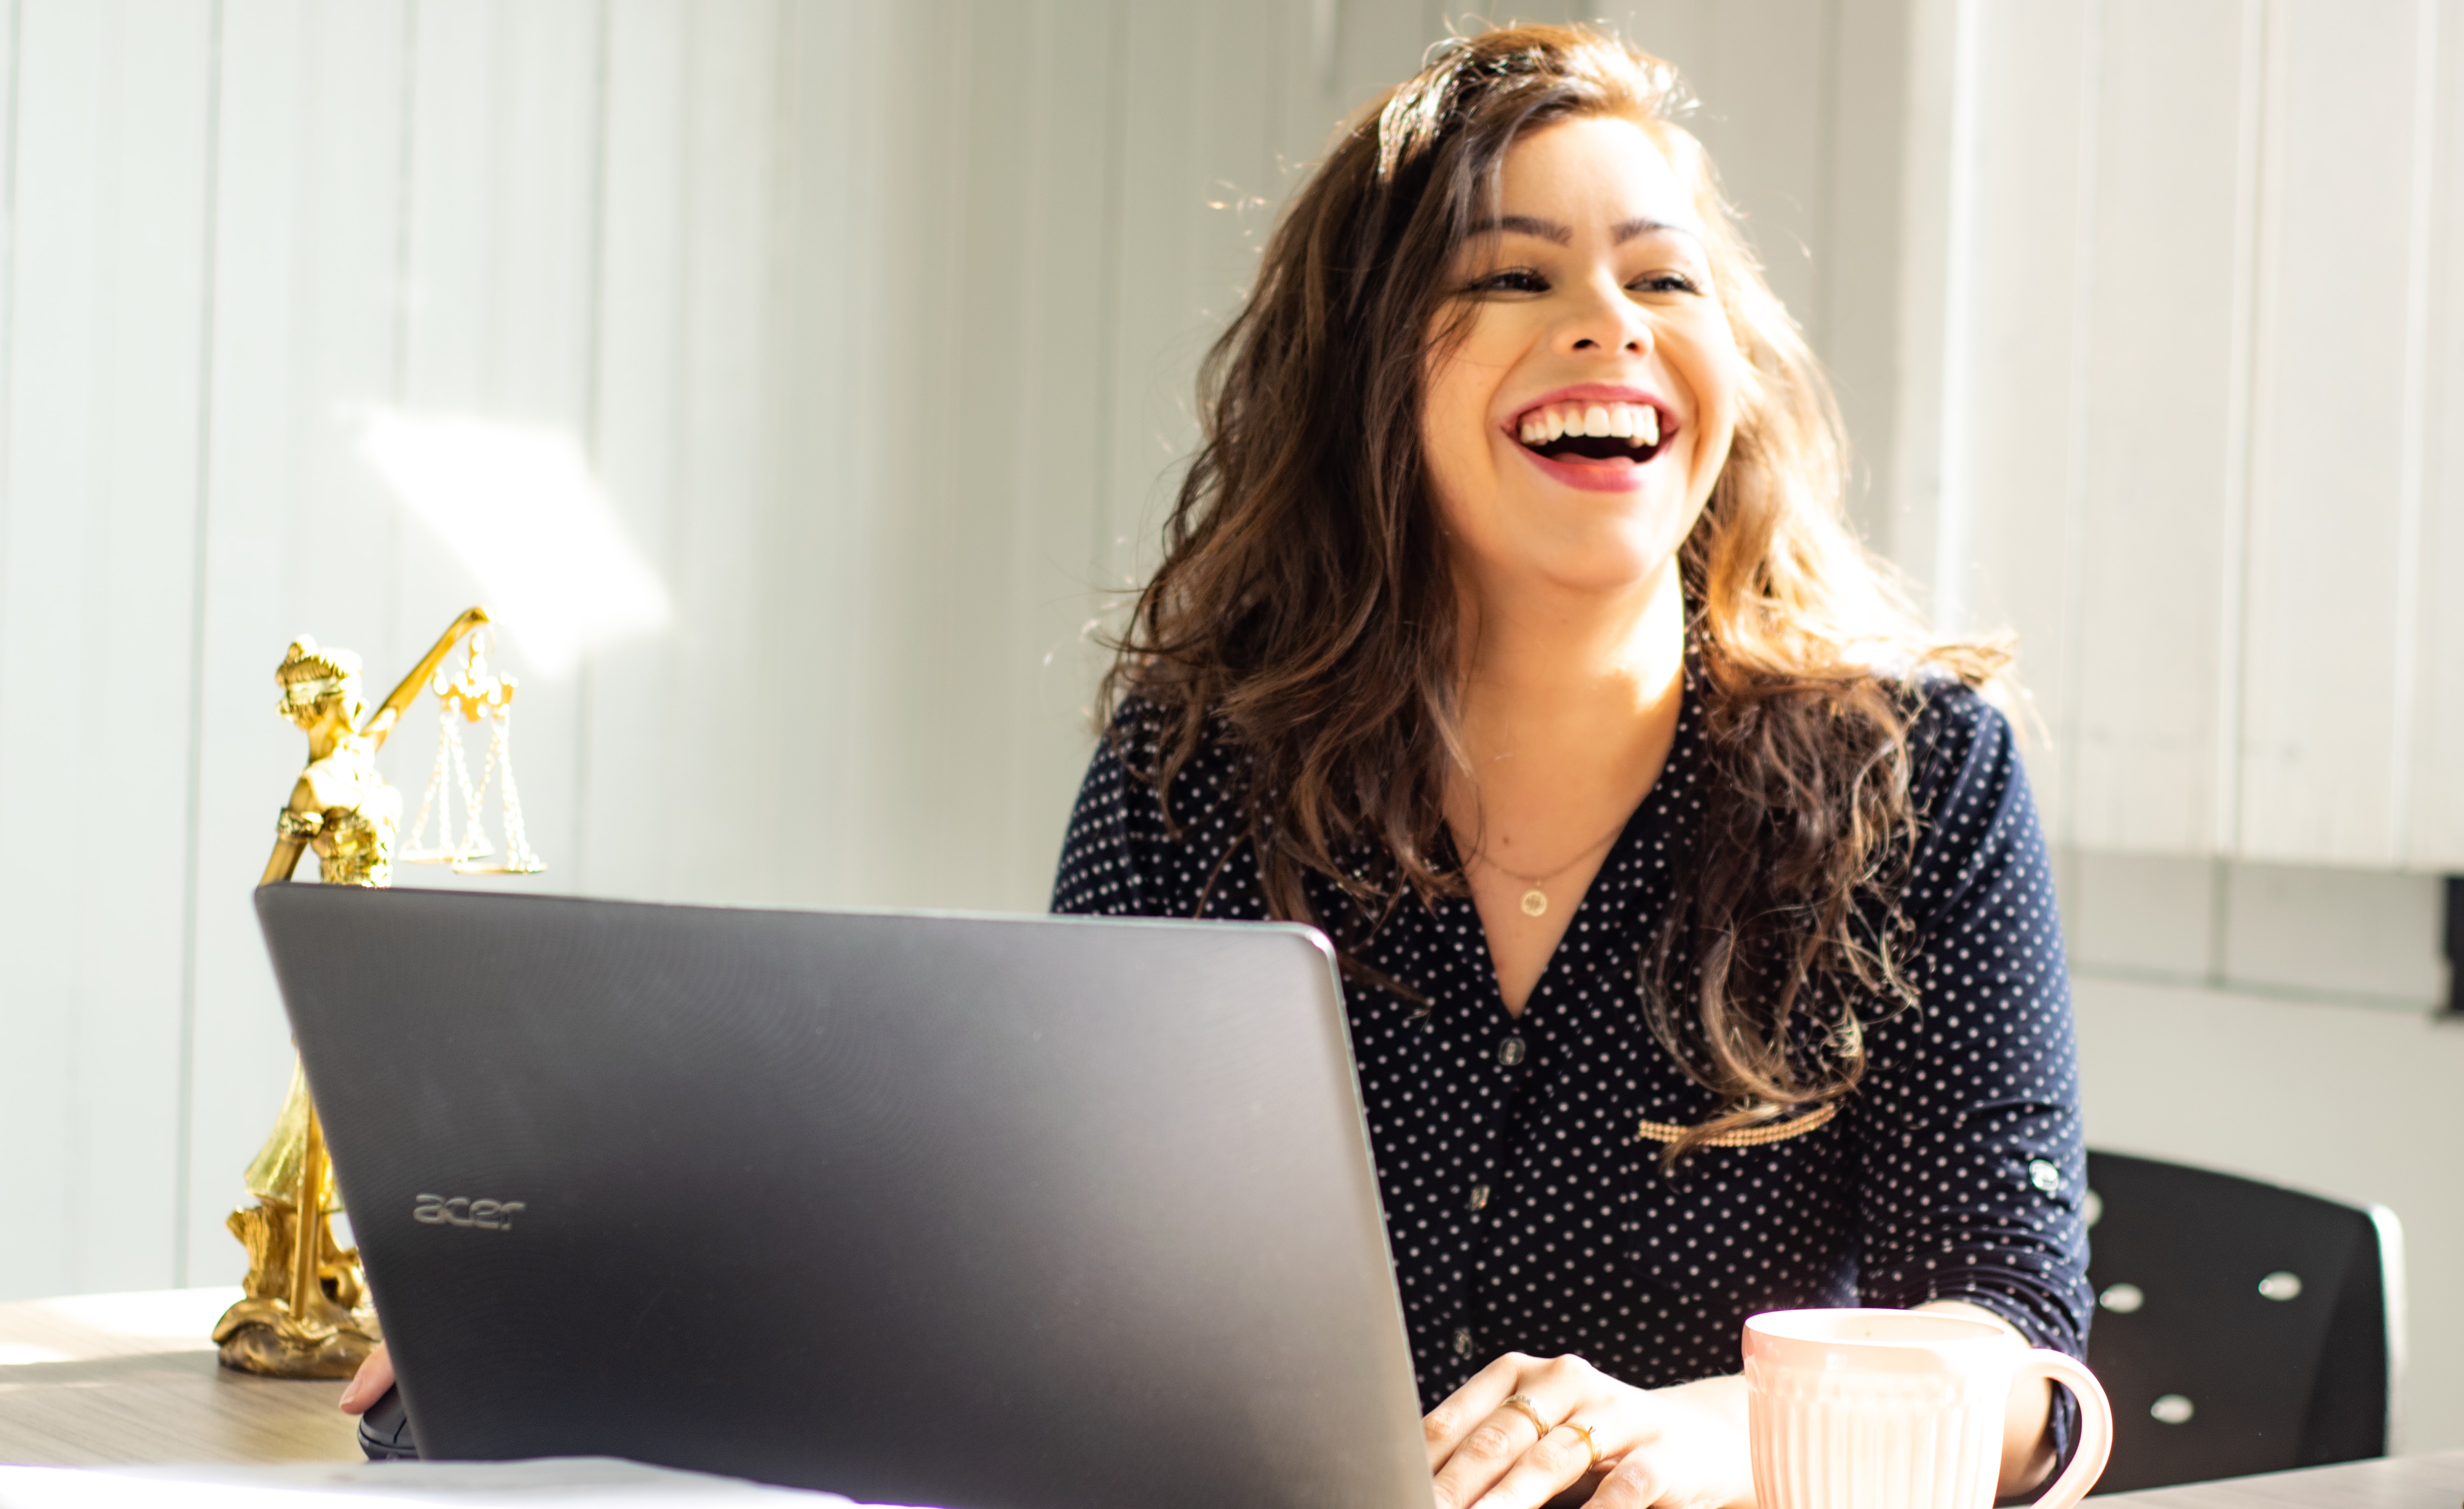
1578 428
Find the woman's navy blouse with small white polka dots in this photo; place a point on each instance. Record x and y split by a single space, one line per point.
1524 1209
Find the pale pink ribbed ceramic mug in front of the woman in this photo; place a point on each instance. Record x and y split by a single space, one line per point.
1894 1409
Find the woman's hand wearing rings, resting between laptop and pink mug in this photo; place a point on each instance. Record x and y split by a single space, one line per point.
1657 1449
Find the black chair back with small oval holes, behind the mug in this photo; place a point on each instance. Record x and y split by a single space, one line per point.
2241 1328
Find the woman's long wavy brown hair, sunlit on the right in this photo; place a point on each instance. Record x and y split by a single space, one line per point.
1307 613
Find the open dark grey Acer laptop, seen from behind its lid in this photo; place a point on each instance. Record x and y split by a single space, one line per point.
923 1209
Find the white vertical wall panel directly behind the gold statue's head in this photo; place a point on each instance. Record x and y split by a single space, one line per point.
299 536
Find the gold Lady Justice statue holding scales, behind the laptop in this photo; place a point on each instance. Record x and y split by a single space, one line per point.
307 1311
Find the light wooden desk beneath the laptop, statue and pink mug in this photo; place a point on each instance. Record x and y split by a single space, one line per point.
112 1380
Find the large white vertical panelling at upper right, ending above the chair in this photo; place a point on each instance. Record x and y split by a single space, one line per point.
2199 349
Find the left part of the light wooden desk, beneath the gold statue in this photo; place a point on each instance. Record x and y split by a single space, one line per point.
134 1380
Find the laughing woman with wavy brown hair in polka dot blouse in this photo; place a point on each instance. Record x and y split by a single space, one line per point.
1694 909
